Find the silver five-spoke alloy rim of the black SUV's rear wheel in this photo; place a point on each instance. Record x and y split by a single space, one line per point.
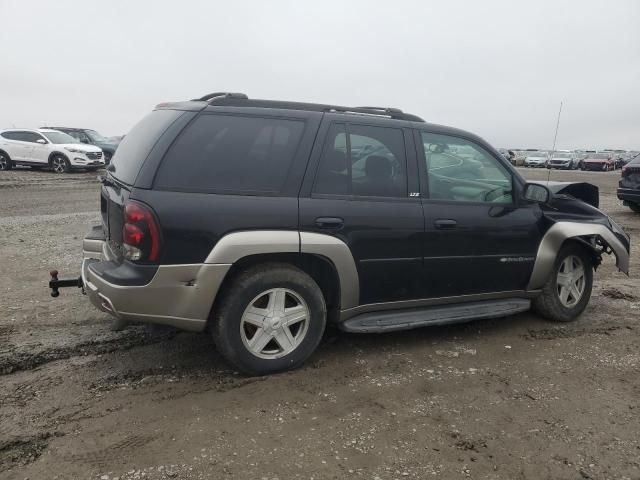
275 323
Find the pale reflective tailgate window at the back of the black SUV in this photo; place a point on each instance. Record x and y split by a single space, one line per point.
136 145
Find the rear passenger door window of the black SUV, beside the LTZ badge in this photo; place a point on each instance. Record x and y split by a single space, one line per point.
363 161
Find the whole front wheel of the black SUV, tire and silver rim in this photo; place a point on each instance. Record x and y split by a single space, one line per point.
568 289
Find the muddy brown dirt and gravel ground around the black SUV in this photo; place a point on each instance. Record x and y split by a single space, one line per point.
511 398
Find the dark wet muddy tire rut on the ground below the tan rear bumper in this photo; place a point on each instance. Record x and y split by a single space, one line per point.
13 360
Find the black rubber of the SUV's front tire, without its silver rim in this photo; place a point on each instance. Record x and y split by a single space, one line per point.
548 304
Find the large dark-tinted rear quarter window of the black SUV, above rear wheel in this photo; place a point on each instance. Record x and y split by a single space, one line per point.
233 154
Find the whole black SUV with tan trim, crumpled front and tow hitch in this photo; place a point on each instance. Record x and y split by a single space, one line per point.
261 221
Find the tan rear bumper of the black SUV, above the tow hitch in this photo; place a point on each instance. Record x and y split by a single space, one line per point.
176 295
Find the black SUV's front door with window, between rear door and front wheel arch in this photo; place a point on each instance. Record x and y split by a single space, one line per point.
479 238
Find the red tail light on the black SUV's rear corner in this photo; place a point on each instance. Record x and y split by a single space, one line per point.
140 233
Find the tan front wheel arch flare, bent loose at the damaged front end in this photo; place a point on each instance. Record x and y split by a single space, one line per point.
596 238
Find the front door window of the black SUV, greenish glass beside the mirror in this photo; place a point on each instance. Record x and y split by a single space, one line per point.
461 170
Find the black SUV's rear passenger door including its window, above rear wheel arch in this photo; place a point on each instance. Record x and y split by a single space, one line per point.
361 195
